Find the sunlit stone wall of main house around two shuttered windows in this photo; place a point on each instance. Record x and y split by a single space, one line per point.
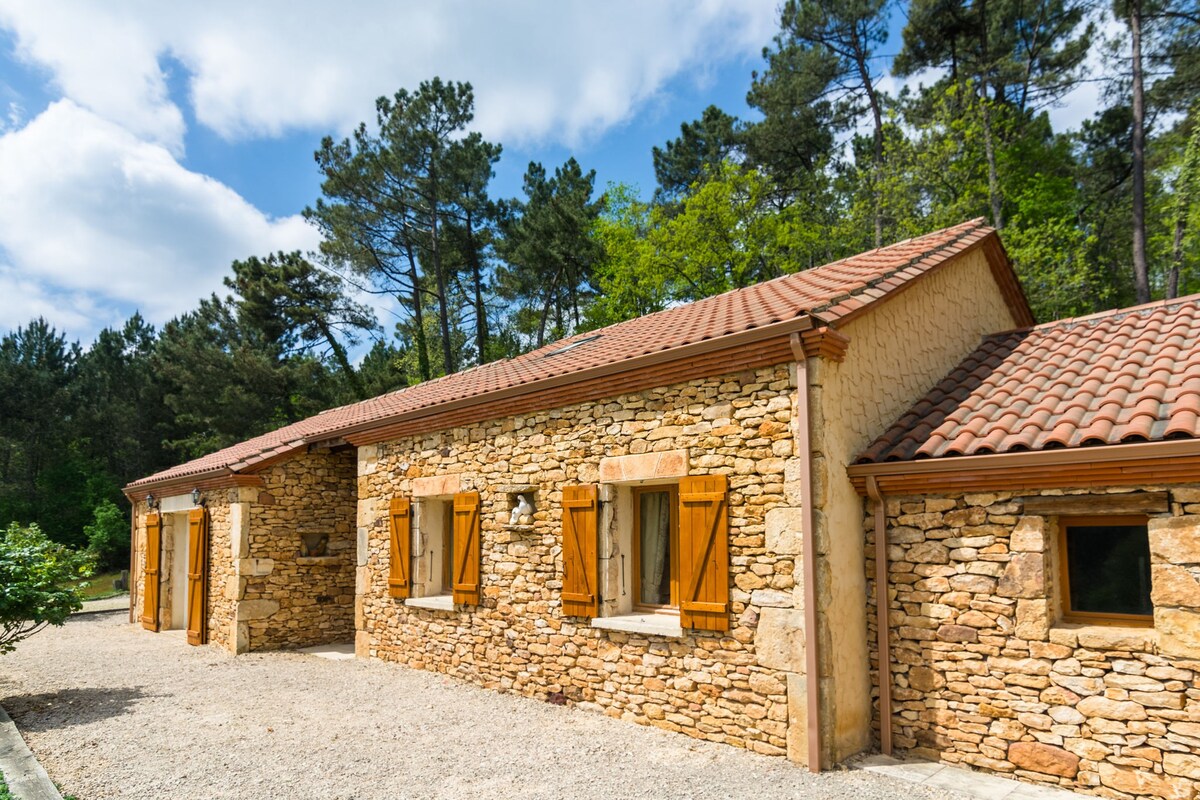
730 688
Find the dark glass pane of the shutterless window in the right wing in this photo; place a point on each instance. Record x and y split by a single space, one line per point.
1109 569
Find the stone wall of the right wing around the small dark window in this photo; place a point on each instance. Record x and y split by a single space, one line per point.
986 675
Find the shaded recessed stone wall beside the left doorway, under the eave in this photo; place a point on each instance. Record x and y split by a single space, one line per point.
287 599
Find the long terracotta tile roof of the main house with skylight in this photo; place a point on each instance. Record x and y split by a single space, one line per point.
831 293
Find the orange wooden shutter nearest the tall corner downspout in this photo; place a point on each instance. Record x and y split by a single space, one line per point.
705 552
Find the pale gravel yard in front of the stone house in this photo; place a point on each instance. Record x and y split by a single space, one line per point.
115 712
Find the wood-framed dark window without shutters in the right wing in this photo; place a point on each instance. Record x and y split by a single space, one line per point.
1106 570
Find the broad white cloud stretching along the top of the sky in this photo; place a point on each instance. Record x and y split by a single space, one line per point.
543 71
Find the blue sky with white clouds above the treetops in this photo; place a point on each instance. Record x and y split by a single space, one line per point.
146 146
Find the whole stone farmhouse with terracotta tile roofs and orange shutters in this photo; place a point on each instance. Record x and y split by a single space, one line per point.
723 518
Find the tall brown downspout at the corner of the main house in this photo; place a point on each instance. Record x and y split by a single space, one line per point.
809 568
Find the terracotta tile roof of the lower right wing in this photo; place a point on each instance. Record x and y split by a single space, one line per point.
1118 377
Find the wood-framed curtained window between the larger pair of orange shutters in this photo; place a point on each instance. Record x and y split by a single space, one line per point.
657 548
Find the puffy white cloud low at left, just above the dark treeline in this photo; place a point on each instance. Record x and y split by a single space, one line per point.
94 222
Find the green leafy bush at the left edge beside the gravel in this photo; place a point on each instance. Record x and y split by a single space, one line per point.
35 576
